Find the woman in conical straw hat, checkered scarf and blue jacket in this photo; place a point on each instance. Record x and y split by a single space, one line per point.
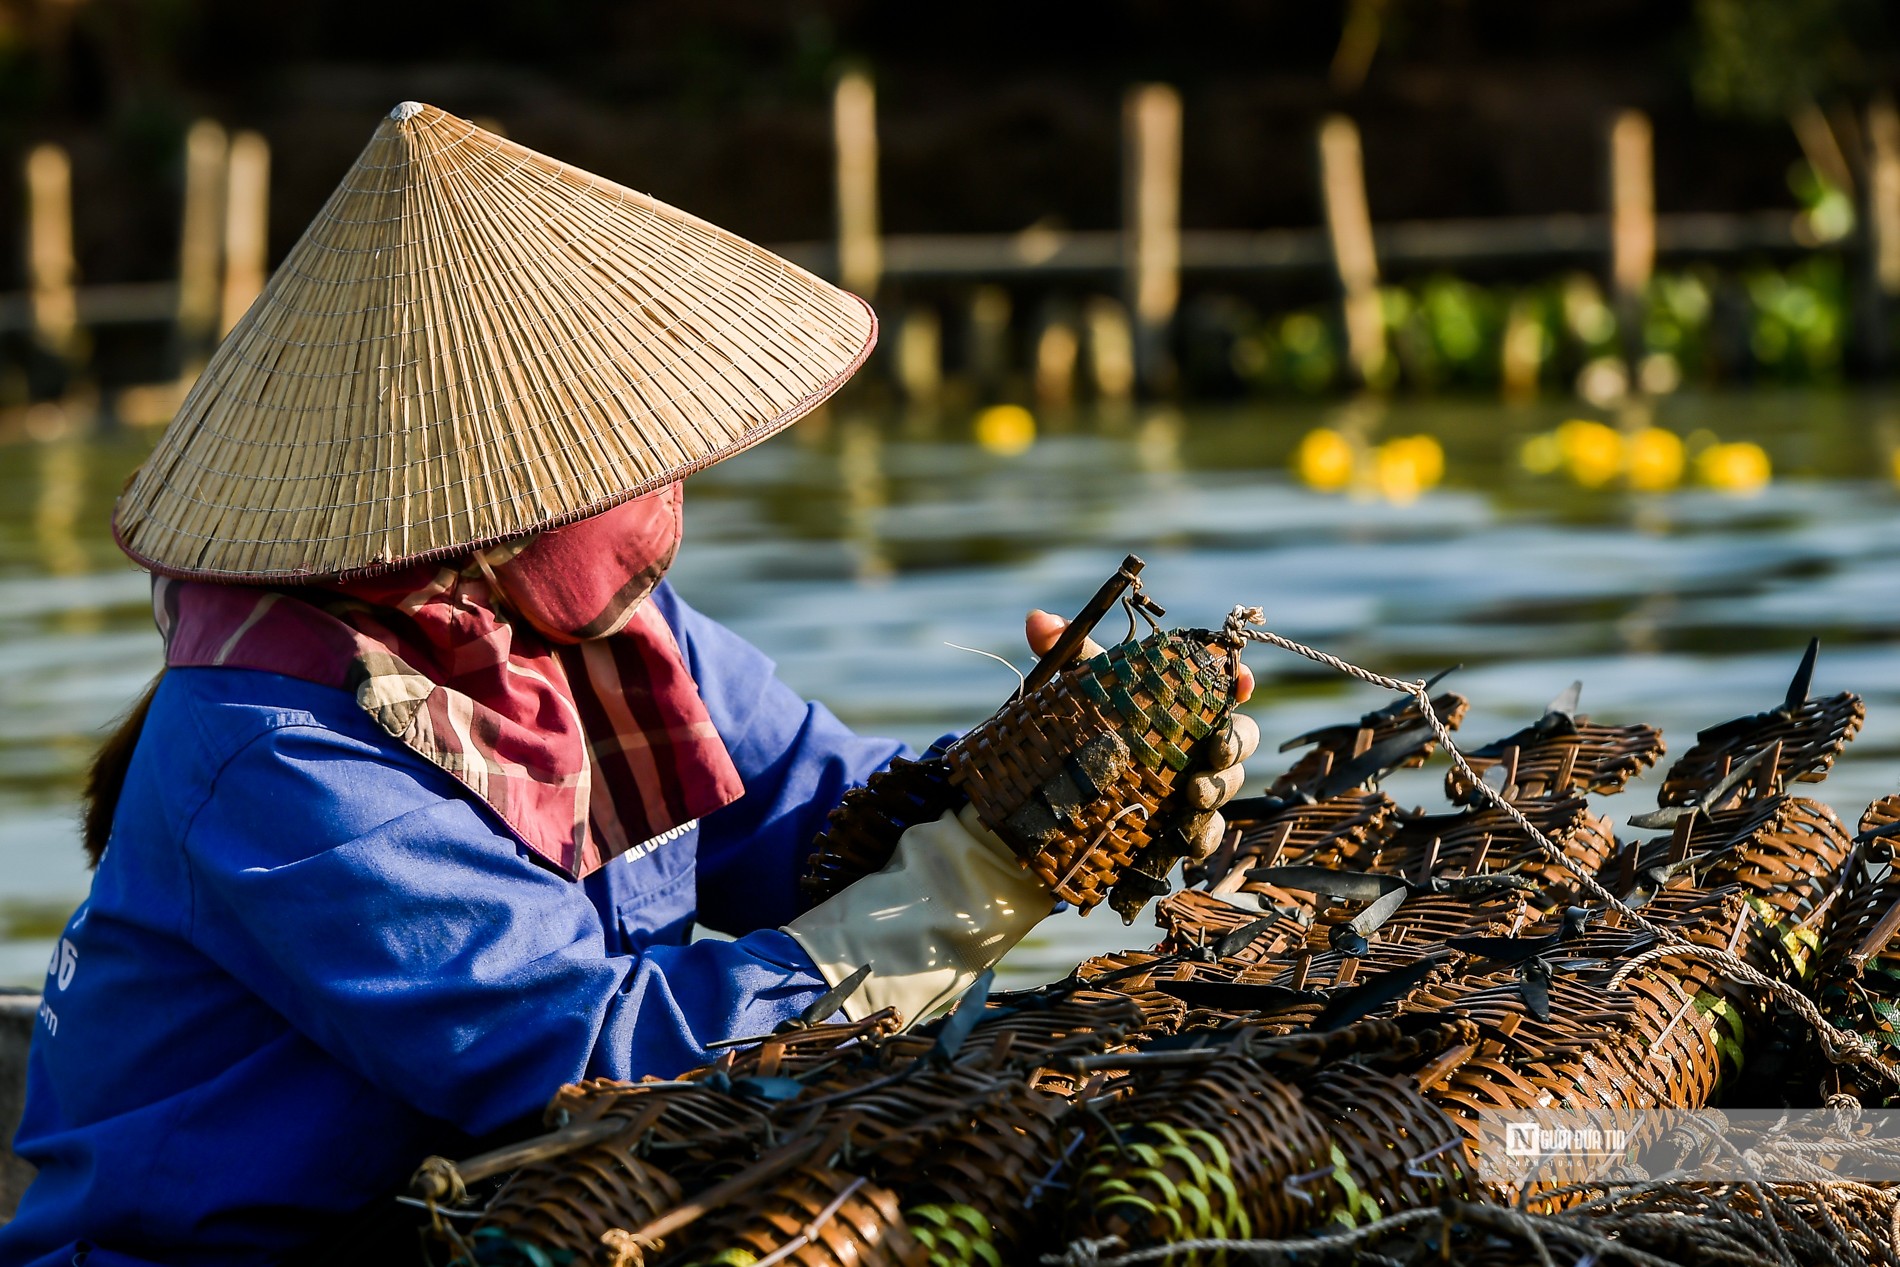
442 772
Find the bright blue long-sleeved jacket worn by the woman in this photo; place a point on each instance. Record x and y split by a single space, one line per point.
311 958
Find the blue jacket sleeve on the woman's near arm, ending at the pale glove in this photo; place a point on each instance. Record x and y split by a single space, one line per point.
389 920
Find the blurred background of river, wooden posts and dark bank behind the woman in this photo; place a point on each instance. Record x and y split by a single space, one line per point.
1555 341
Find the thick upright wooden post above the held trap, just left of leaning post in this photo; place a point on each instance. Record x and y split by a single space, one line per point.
1152 202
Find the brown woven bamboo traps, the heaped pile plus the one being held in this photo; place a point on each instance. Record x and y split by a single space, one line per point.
1301 1067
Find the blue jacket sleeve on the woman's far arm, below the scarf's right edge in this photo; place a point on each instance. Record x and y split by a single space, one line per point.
797 763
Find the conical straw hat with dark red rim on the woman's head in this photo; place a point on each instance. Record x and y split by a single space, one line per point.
472 343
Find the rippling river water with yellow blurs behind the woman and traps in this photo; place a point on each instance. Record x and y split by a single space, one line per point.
860 546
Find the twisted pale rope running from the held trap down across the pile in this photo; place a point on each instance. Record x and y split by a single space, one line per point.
1842 1048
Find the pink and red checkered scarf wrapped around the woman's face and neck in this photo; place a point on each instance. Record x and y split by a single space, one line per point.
537 673
